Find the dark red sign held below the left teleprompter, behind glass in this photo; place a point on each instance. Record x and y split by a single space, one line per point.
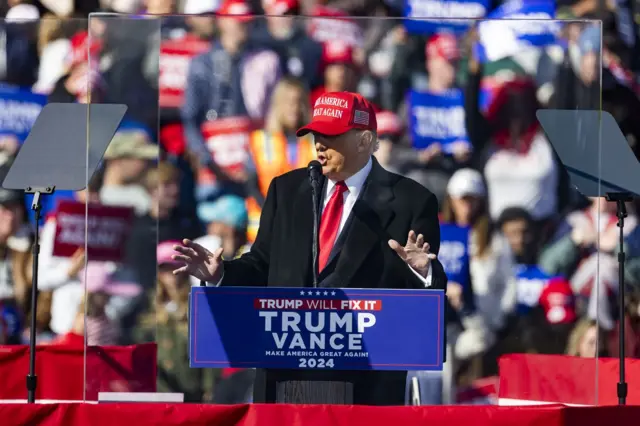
107 230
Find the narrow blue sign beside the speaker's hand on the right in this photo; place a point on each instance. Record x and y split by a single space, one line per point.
454 253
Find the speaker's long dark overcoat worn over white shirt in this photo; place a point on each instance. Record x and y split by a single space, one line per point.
389 207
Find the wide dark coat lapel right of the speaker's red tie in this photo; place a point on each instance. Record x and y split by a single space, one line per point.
369 218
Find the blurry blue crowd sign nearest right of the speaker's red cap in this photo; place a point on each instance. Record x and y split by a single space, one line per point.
437 118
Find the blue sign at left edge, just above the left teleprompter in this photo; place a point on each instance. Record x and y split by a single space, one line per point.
18 111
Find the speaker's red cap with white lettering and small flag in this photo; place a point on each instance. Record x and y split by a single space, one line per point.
335 113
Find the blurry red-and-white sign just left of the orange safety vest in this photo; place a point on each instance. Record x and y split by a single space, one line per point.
228 142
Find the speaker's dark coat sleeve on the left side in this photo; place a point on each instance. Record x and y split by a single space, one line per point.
252 268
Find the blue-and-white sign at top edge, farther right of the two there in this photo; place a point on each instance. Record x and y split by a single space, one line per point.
514 26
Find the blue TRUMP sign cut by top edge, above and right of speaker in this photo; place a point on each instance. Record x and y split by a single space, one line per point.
432 16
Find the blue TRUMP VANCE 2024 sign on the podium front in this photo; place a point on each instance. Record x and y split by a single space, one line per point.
323 328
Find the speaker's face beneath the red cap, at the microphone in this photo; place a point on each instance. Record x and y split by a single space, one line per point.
338 155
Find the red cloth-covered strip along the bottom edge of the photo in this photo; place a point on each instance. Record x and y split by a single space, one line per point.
78 414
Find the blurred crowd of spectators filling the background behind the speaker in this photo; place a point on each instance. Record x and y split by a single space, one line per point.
215 93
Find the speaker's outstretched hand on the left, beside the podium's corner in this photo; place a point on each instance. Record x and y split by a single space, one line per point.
199 262
